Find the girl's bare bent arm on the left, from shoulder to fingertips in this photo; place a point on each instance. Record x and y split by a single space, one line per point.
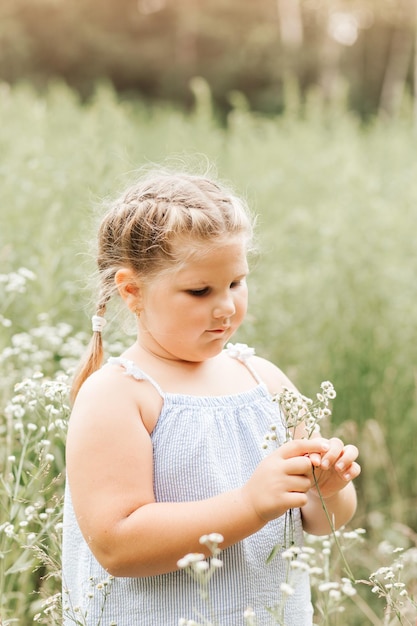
110 474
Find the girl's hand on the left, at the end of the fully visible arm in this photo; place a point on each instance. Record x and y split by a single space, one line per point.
281 480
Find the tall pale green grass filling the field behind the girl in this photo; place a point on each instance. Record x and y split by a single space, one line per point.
332 294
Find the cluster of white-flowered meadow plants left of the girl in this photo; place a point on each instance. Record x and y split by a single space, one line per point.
37 365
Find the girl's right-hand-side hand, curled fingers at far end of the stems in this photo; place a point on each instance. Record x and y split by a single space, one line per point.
336 467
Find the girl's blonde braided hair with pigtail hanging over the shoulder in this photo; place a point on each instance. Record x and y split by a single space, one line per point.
147 230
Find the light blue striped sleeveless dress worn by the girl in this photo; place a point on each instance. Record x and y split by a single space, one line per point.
202 446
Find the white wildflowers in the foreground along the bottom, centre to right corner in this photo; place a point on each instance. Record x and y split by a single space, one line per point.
332 592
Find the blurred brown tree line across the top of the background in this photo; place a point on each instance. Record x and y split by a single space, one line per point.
155 47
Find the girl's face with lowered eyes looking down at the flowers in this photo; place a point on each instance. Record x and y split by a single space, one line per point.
191 313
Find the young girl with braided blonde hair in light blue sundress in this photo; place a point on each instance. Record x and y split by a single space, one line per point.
165 441
